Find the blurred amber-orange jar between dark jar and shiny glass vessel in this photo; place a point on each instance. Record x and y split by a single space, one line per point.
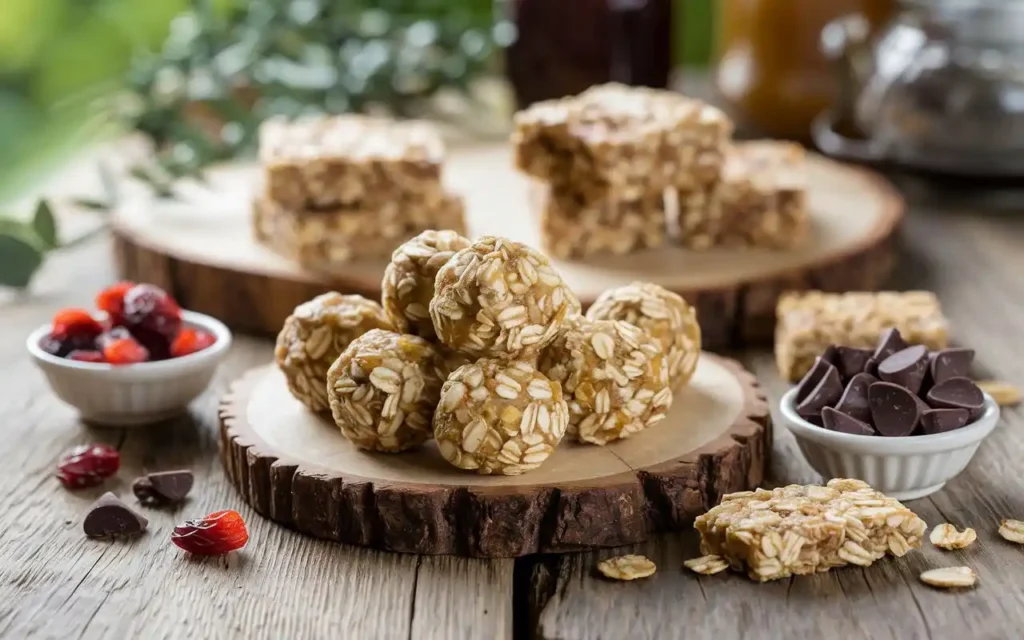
770 69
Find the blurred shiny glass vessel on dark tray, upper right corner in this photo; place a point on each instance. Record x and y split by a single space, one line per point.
942 89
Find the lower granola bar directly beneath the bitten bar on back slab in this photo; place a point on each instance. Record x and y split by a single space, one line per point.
572 228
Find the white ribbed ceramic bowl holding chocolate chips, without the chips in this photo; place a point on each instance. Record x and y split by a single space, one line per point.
906 468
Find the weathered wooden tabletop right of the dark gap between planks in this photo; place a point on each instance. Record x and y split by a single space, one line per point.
972 262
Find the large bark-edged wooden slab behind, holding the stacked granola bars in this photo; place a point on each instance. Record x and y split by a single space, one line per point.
201 248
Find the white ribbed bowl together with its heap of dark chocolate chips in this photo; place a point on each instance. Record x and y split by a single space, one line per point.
907 423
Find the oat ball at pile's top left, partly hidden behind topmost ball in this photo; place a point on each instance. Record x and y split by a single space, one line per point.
409 280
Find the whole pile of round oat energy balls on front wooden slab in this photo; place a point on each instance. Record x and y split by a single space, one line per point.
483 347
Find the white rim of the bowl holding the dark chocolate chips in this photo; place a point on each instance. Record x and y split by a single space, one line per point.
879 445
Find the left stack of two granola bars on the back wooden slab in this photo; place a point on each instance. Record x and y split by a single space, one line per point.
339 189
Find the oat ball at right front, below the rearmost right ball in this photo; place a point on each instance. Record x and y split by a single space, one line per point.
615 378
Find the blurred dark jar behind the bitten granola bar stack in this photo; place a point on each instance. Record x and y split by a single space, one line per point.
566 47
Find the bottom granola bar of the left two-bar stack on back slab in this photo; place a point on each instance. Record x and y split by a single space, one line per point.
326 240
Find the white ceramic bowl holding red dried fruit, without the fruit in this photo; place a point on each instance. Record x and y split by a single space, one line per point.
134 395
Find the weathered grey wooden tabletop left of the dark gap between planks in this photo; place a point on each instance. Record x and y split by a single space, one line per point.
55 583
